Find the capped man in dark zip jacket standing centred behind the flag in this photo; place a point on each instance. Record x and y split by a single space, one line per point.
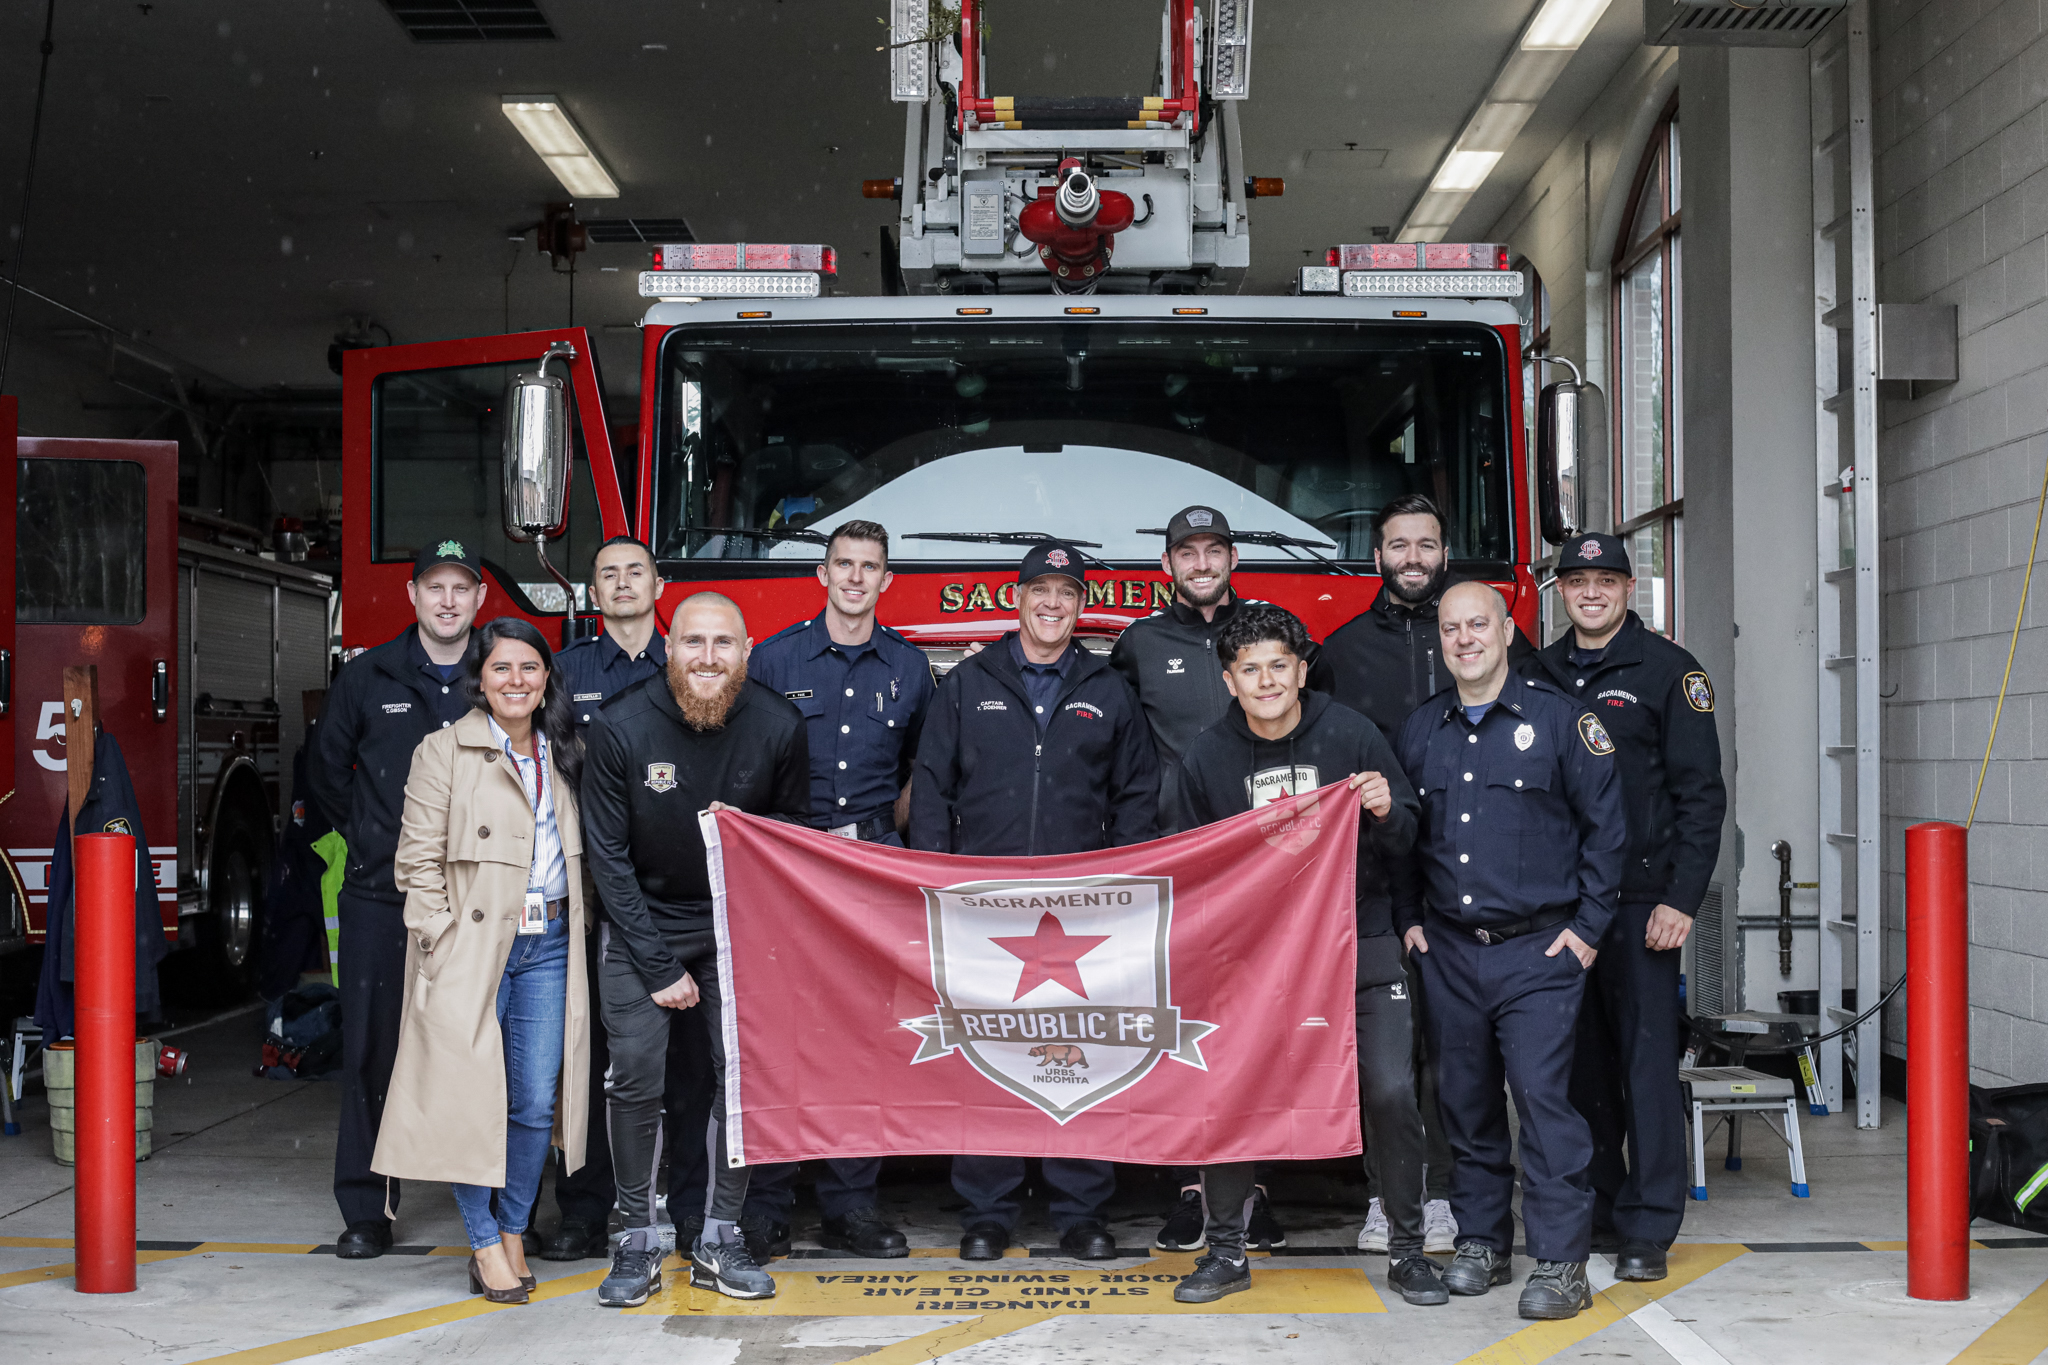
1035 746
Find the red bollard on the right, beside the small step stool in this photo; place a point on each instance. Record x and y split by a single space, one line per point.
1938 1061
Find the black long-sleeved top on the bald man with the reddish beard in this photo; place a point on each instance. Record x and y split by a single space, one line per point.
648 775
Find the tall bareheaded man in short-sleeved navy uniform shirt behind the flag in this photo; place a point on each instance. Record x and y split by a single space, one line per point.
863 693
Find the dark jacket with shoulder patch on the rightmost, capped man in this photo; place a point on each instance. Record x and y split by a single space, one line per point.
1660 705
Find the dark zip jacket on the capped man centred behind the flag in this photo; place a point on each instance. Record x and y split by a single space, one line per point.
990 783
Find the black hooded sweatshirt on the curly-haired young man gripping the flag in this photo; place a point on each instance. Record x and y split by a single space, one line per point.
1232 770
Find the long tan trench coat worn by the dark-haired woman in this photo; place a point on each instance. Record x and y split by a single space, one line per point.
464 858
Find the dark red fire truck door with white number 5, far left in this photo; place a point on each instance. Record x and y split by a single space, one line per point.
93 578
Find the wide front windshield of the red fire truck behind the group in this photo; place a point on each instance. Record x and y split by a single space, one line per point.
1082 431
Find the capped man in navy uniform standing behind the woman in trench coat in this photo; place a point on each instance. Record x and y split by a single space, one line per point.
382 705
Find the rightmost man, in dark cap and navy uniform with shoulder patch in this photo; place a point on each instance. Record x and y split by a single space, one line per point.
1658 705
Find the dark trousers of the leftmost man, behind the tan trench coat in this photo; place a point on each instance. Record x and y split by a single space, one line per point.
374 996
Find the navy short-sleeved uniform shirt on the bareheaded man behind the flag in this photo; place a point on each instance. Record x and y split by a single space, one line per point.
863 707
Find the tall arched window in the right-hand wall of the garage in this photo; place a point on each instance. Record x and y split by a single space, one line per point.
1650 455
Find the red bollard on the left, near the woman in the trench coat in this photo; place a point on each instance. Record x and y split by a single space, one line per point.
105 1194
